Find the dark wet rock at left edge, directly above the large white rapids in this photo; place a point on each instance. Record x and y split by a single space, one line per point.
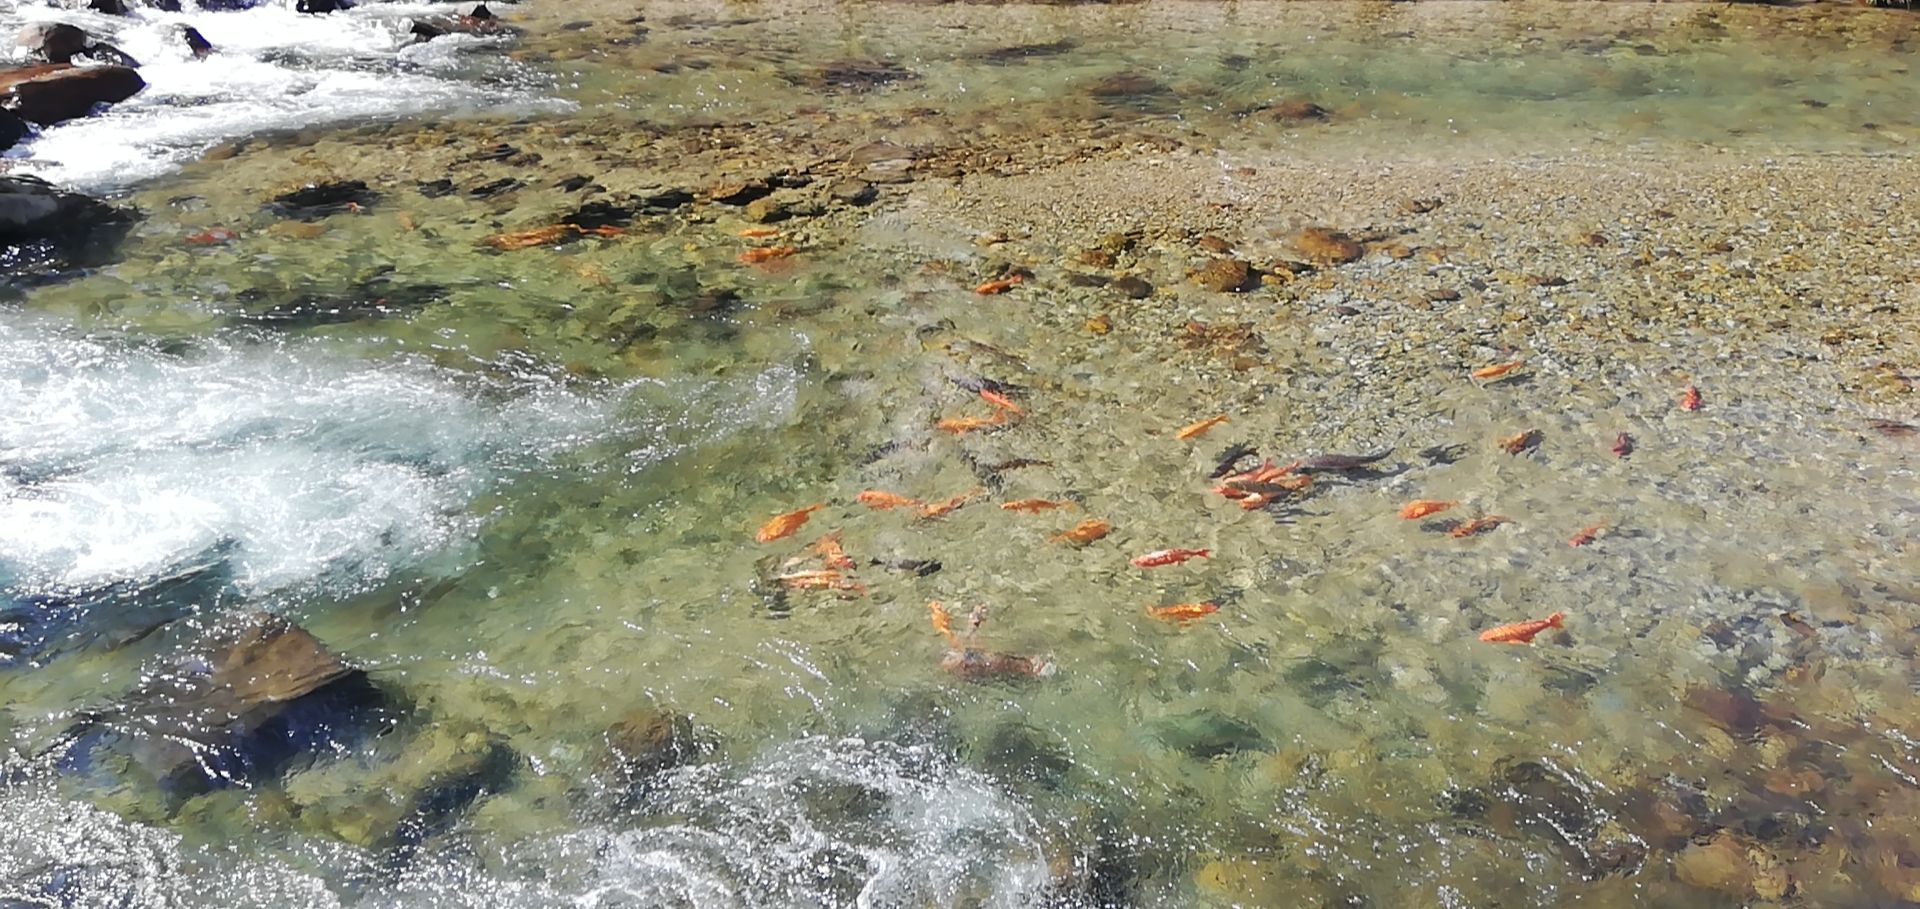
45 232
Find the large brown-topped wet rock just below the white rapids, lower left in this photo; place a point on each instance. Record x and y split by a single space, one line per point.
231 712
